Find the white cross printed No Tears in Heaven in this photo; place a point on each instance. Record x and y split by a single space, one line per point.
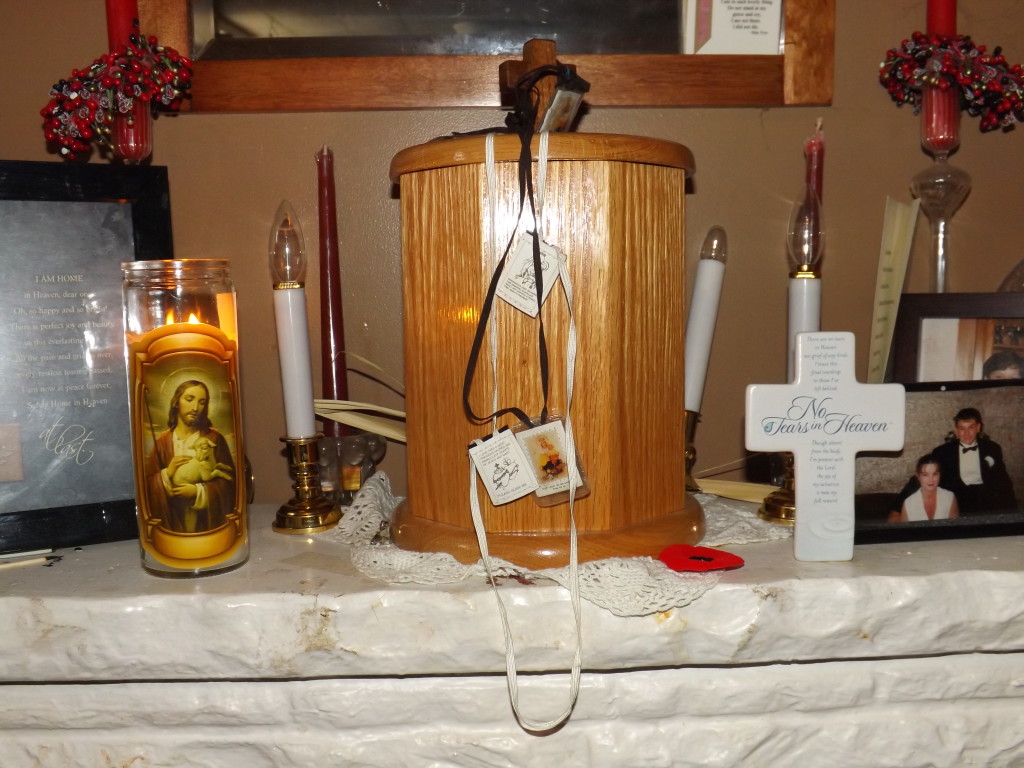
825 417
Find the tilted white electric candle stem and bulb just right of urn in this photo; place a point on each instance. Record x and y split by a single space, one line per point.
703 316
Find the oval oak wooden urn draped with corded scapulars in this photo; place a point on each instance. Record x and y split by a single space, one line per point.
615 205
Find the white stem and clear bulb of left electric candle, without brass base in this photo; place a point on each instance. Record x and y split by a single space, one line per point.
288 268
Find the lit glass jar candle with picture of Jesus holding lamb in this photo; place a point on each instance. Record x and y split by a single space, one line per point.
182 354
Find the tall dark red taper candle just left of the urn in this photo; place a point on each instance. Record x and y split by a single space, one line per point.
334 371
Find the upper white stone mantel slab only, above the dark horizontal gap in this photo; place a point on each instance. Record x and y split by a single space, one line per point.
300 610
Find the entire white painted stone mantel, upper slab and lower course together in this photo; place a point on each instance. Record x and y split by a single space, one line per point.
915 657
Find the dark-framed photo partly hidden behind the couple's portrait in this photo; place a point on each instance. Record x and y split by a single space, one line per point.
959 337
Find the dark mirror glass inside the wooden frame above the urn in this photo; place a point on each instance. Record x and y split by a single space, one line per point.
304 29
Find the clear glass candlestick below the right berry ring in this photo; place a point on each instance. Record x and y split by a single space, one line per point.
942 188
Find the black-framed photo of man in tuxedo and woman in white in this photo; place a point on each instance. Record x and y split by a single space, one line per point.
961 473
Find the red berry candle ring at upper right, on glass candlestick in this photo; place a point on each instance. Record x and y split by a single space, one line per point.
989 89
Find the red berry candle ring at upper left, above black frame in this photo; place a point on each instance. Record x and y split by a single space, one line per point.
82 109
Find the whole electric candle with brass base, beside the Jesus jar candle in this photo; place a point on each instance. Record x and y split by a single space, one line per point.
309 511
